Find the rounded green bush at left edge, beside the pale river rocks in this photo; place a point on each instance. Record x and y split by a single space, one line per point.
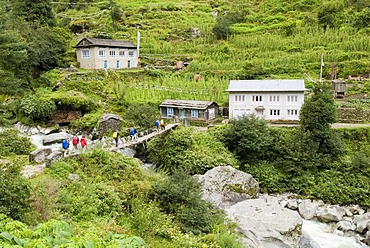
11 143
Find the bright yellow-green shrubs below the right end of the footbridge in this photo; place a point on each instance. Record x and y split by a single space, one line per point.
190 151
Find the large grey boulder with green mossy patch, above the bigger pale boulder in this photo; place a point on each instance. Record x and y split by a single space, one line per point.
224 186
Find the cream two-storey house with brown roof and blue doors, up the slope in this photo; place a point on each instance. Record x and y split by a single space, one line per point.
95 53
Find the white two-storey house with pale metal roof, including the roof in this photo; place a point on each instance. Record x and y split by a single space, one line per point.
269 99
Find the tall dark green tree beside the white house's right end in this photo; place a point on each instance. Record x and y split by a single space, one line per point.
316 116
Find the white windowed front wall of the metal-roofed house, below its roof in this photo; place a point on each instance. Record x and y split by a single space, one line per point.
281 107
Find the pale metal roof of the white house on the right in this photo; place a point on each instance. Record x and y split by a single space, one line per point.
266 85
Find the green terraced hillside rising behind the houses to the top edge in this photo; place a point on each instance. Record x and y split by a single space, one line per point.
233 40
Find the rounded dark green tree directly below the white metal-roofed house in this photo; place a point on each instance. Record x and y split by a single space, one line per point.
249 138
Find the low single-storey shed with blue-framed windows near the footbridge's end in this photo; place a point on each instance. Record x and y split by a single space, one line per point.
193 110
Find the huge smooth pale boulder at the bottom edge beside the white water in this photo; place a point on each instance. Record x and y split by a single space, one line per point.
266 224
